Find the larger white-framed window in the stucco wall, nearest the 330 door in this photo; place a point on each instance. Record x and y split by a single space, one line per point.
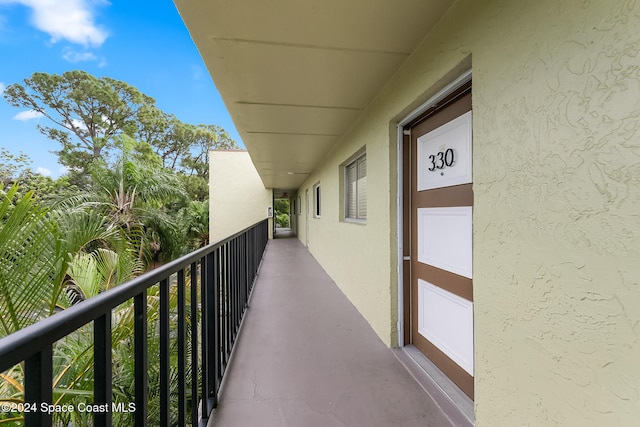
355 180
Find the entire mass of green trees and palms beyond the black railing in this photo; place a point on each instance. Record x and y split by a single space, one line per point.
135 196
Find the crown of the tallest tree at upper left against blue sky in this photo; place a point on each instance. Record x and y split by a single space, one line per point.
87 112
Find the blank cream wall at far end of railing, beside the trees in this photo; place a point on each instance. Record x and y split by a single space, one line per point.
237 197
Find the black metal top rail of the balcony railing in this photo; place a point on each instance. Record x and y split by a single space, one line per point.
26 342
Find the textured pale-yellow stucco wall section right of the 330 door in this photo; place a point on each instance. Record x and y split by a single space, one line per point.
557 185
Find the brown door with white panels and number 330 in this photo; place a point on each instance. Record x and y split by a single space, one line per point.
440 200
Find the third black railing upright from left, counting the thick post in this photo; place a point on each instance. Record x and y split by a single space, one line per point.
140 360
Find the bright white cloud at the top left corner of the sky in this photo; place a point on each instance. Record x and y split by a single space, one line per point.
71 20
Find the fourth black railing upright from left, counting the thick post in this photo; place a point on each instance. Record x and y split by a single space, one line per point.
165 368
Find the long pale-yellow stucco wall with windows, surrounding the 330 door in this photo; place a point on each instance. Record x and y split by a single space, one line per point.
556 104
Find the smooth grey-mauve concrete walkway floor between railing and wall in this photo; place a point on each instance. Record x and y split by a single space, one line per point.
305 357
